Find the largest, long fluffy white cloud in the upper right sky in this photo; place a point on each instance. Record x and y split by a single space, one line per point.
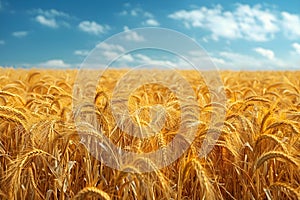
251 23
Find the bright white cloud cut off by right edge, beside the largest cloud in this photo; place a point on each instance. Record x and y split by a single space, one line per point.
291 25
